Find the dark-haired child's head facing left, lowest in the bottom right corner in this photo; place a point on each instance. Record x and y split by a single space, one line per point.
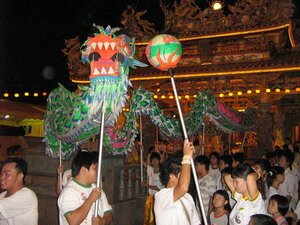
278 207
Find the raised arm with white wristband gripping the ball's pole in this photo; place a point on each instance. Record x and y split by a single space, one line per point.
185 175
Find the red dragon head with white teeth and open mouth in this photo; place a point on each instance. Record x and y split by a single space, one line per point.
109 55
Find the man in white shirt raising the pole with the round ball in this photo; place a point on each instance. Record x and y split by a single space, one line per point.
173 205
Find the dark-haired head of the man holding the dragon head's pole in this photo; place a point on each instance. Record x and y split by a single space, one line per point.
84 166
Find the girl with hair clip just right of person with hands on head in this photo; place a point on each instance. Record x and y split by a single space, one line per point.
274 179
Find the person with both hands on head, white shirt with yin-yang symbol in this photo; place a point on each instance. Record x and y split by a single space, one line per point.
243 185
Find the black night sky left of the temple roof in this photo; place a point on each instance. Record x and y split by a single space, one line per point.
32 34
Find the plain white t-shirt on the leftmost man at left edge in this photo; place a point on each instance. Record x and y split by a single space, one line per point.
19 208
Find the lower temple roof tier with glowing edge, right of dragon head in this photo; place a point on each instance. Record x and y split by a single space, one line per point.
278 63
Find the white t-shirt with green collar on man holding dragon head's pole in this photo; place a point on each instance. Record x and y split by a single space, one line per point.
73 196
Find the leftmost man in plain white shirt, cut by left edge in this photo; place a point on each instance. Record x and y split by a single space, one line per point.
18 204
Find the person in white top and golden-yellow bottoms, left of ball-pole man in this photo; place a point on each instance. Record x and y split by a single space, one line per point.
154 185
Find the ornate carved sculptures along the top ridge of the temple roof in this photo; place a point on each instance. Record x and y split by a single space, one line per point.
186 18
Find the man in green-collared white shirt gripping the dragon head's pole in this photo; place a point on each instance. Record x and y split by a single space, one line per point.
76 201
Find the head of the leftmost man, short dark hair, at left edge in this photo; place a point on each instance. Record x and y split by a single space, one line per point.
13 174
